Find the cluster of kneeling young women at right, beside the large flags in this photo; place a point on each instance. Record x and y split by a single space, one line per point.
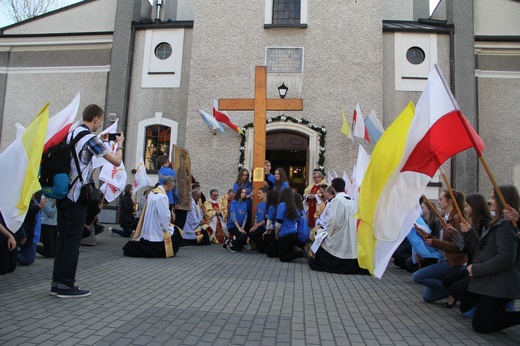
475 256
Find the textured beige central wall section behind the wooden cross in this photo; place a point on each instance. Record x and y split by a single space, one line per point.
342 65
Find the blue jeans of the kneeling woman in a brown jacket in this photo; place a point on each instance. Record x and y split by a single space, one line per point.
431 277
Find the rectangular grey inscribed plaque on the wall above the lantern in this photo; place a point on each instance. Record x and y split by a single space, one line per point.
284 60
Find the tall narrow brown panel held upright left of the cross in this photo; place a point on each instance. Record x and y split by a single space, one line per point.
182 167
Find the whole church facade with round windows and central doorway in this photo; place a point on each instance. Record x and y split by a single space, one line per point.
152 66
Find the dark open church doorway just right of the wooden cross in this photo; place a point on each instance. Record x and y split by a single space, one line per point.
289 150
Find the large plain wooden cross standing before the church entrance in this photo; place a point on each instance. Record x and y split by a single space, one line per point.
260 105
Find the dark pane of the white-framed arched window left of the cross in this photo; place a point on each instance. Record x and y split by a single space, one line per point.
157 142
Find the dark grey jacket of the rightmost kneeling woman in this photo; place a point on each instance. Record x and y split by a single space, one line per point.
496 265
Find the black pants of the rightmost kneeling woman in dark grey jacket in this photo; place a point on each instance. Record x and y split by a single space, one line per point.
491 315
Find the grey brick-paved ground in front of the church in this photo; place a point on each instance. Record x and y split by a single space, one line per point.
209 296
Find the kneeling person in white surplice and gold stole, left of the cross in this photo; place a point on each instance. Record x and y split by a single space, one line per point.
154 236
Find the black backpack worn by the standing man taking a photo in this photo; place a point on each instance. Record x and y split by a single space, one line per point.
55 168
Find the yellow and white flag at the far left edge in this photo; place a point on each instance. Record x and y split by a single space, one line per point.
20 164
